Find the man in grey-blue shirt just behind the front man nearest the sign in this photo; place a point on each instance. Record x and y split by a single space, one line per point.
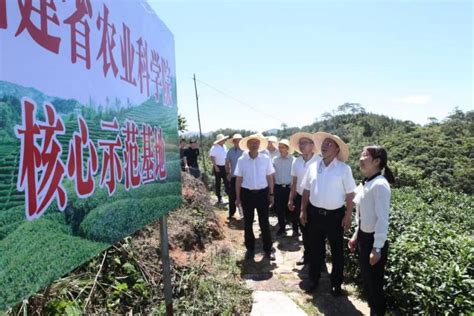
282 164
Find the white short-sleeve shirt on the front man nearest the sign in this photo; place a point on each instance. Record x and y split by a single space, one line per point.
254 171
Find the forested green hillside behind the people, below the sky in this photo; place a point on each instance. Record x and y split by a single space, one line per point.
441 152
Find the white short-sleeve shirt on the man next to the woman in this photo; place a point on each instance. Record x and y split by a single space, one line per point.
328 185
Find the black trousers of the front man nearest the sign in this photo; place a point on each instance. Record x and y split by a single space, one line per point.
252 200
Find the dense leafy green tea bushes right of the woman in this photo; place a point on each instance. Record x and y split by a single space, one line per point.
430 267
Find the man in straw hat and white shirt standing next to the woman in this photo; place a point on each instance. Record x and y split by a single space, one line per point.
327 207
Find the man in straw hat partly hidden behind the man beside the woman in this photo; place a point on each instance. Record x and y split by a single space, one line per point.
304 144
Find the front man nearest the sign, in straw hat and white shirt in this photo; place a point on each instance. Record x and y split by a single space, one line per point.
254 190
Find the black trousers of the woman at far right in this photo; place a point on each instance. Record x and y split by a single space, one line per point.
372 275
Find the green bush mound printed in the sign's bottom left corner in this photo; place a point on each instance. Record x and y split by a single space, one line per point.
24 269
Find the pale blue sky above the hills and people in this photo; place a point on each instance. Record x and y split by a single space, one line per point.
282 61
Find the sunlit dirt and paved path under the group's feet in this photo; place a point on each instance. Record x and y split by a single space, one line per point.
273 281
